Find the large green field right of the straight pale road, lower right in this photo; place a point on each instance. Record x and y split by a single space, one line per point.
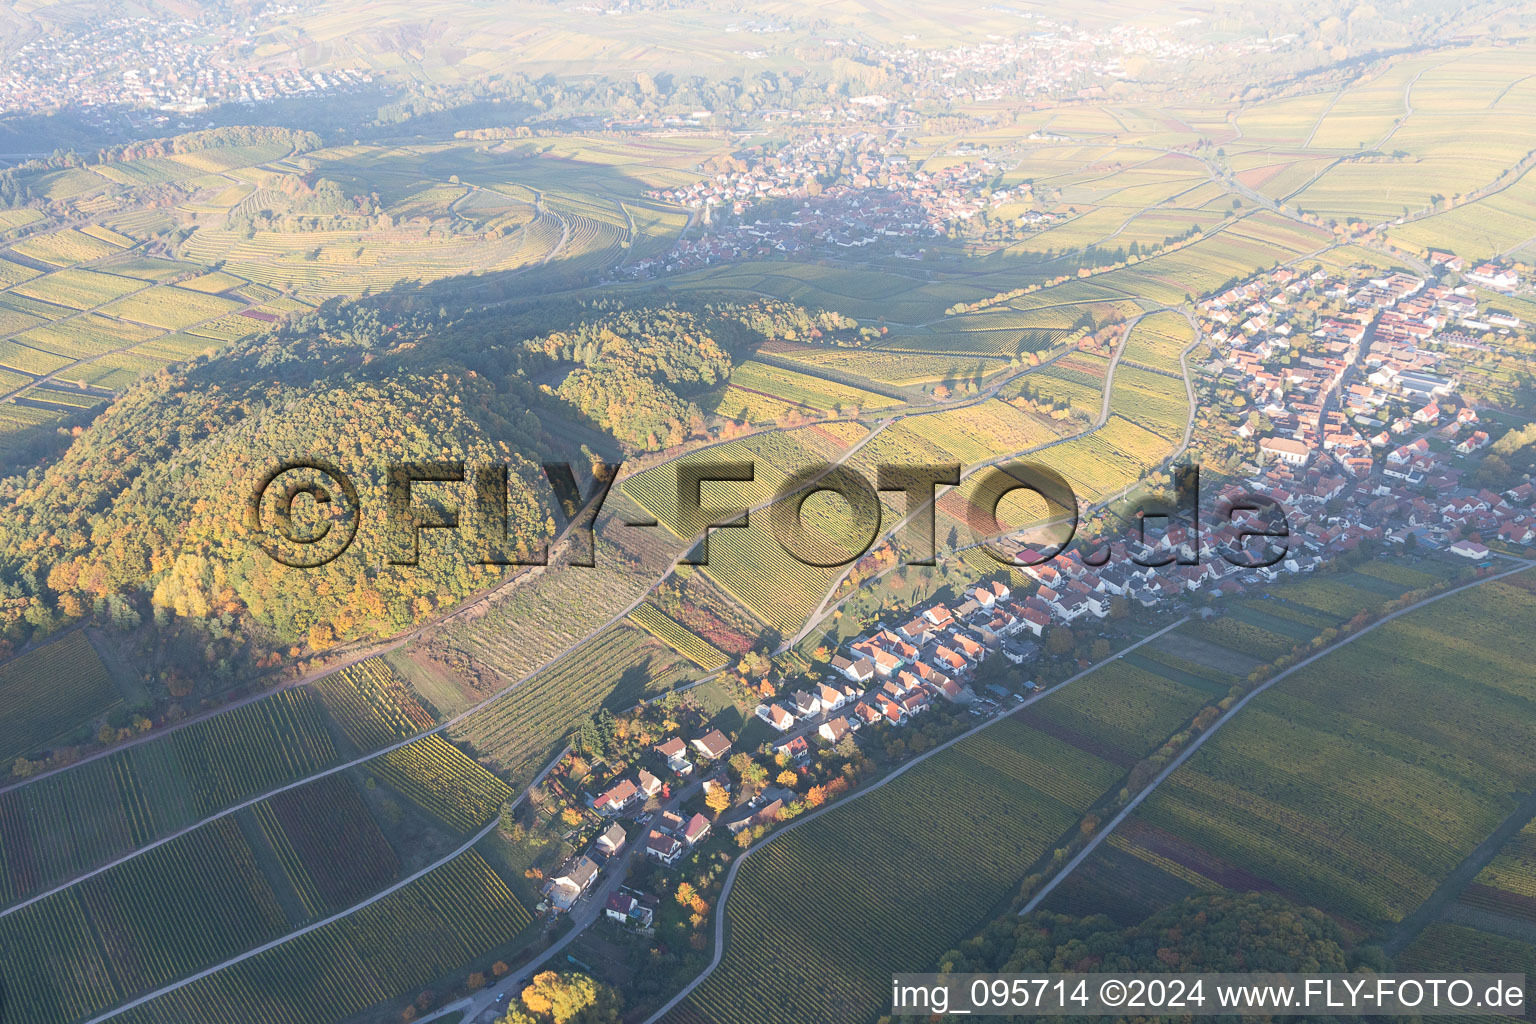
1362 781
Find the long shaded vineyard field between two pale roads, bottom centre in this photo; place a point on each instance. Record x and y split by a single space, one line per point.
959 833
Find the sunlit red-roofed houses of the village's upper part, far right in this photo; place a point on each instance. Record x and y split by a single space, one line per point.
1316 405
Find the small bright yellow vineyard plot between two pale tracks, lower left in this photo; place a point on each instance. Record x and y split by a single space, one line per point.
443 781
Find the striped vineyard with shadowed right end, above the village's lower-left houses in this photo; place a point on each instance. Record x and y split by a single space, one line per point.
617 670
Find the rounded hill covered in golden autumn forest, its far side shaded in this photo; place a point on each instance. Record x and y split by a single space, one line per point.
141 520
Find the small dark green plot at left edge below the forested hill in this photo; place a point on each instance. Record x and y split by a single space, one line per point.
50 692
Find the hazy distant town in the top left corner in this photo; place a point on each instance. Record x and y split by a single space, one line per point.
159 64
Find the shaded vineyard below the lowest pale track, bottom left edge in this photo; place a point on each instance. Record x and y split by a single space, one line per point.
396 946
